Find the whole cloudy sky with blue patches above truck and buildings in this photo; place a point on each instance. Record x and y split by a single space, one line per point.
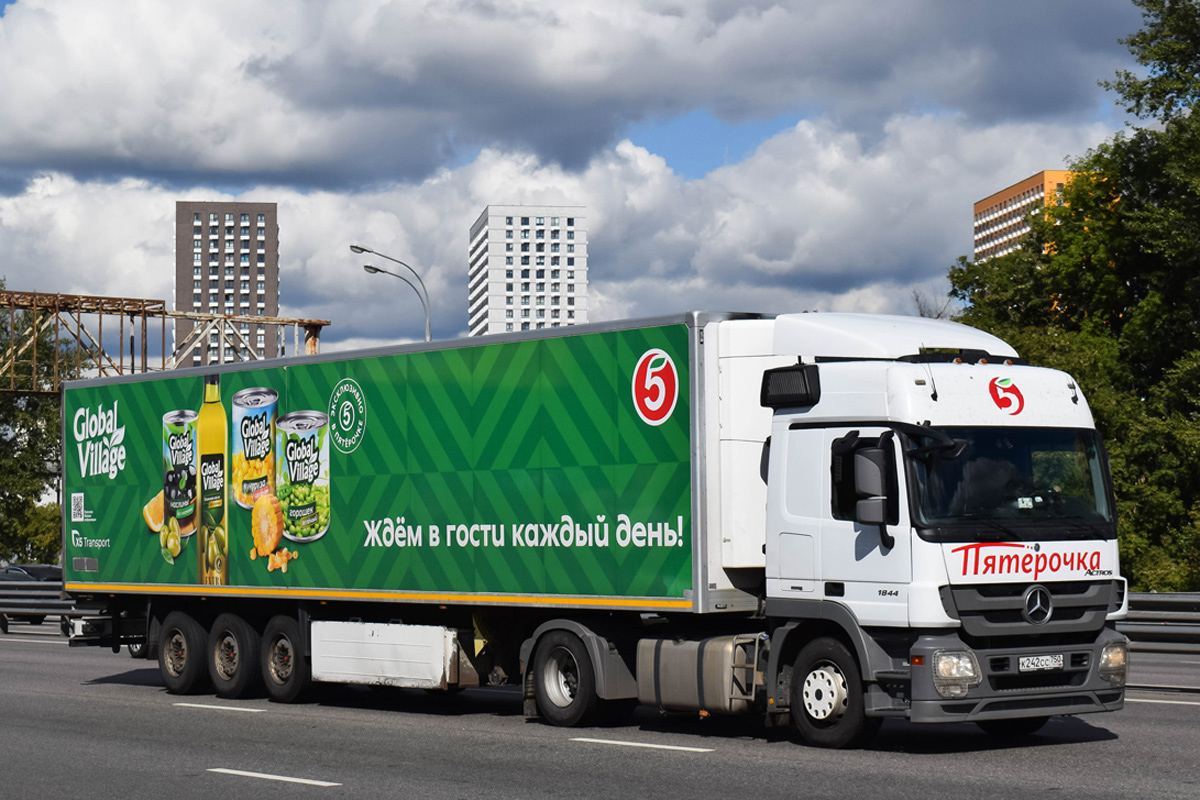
733 155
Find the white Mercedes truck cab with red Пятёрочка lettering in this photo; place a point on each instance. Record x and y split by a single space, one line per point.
946 509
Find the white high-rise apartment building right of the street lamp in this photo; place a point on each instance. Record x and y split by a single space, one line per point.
527 269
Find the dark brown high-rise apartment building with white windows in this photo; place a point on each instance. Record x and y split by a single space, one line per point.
227 262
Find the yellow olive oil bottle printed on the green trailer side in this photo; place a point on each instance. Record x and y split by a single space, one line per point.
213 442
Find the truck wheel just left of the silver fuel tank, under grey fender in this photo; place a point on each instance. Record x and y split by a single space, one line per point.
565 681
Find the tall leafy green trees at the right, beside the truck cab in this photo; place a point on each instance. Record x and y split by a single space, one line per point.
1108 287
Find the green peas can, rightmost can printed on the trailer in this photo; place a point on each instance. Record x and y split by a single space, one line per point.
302 482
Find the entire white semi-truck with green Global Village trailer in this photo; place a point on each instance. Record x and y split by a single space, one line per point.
825 520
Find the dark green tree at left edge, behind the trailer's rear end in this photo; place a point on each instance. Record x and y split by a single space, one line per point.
31 441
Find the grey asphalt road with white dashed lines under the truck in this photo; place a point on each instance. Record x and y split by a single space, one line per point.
92 724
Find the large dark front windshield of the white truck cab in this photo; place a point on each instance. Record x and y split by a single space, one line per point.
1003 478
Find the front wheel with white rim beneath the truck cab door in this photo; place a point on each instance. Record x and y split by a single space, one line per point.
829 699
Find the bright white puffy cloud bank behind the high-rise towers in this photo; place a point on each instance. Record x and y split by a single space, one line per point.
818 218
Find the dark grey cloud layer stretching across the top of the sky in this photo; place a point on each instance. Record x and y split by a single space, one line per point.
363 93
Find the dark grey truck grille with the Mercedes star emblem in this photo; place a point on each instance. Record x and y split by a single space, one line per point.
997 610
